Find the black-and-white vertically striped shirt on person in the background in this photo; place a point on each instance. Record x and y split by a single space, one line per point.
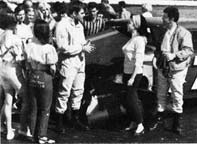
92 27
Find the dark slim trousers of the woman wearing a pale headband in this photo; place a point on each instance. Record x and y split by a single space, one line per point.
133 107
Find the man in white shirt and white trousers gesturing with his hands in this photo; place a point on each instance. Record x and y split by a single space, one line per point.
72 46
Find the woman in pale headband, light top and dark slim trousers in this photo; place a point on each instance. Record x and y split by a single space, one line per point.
134 51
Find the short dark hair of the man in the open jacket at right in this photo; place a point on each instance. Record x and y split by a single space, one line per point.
172 12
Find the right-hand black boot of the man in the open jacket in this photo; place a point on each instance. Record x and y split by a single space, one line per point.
176 126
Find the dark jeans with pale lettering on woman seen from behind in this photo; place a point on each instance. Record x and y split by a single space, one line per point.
40 99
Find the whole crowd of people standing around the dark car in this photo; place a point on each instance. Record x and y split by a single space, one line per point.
37 45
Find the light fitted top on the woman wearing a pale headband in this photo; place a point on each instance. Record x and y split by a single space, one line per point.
134 54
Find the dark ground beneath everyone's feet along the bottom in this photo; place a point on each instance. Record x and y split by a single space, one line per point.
109 134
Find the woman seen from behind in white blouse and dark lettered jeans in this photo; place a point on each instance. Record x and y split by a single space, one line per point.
41 58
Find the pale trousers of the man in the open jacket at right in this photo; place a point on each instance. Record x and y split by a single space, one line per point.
175 84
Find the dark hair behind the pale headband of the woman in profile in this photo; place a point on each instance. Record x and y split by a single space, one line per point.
142 30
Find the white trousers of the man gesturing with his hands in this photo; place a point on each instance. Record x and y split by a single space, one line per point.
71 86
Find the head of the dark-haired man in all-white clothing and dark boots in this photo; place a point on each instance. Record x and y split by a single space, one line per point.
76 11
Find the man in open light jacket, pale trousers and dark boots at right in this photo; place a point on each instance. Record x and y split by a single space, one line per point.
176 51
